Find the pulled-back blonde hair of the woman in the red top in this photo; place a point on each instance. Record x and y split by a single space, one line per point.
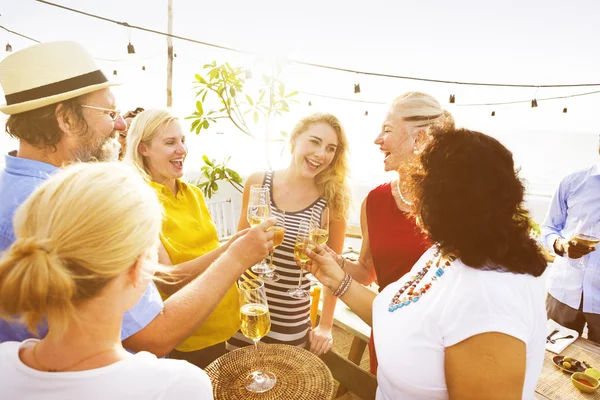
420 110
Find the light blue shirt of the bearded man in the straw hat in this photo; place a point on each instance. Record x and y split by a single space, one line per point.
18 180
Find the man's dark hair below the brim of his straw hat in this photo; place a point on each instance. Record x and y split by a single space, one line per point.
40 128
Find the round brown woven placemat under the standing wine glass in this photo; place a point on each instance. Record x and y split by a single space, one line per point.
300 374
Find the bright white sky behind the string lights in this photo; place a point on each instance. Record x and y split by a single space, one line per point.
514 41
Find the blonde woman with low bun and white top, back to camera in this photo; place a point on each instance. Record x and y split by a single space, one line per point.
85 251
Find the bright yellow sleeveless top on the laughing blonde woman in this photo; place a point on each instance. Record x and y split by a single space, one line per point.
188 232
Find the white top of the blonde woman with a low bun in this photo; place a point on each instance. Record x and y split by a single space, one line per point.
141 377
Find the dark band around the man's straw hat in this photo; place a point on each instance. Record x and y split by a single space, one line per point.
67 85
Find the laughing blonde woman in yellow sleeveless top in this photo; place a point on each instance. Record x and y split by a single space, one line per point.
156 145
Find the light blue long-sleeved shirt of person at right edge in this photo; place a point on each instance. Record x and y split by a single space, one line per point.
577 199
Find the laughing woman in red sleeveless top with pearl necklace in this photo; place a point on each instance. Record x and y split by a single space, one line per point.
392 242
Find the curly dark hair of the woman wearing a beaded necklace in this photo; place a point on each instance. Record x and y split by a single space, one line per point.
469 199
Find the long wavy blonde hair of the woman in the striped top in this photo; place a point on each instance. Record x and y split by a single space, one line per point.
332 181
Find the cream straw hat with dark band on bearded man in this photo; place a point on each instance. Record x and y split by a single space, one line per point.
48 73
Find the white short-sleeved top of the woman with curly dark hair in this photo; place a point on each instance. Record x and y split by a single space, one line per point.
464 302
